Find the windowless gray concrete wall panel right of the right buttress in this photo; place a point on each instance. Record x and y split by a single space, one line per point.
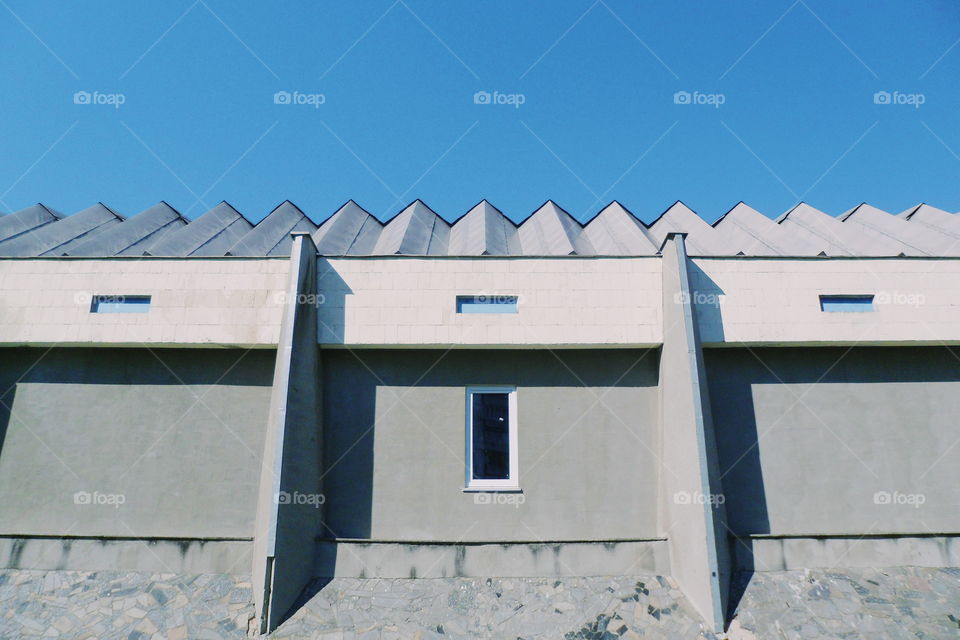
838 441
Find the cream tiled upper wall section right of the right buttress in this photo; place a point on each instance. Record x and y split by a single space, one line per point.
778 301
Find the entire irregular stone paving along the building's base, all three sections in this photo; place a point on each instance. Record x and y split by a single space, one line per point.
879 604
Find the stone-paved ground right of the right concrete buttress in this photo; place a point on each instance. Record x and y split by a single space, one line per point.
880 604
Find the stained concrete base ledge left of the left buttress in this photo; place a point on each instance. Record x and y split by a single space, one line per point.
156 555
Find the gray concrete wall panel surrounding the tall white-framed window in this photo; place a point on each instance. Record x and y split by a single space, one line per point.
395 444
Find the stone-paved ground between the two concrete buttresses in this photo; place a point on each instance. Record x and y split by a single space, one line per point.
547 609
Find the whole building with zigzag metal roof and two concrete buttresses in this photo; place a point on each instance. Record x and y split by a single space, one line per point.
288 401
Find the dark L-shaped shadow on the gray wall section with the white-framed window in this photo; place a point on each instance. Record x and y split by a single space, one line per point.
351 380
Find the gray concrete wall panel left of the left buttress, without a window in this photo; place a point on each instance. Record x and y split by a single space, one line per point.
131 442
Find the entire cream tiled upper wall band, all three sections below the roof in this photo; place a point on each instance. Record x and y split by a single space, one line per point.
412 301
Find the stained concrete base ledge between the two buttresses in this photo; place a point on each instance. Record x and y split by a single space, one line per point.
384 559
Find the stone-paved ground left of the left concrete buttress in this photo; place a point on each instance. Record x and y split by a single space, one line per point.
133 606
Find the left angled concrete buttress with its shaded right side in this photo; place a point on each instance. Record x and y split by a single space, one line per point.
290 503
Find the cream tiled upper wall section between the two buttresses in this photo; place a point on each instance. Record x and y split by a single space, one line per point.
584 301
